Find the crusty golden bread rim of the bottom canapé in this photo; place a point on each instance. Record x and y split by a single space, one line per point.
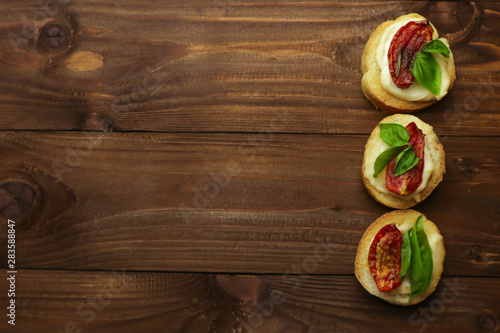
361 262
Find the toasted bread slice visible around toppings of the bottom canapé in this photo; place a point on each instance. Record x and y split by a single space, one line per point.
404 220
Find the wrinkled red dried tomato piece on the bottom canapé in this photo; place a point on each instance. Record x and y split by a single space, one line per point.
384 257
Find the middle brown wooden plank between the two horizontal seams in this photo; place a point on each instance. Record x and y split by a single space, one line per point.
225 203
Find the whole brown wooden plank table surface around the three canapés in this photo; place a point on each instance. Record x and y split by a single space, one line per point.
194 166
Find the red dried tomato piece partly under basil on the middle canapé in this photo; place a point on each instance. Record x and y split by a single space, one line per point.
409 181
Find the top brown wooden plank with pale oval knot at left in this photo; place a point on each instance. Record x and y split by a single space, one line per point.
226 66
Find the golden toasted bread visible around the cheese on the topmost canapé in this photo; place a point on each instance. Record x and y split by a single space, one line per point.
371 84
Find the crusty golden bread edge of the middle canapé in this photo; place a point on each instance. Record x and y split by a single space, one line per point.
392 200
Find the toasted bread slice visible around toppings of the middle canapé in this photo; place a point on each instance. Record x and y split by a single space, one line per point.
436 153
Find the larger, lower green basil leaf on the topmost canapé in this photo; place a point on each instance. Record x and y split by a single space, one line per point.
427 72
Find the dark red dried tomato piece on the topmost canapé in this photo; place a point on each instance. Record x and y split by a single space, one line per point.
404 47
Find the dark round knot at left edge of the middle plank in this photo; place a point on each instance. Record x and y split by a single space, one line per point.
16 198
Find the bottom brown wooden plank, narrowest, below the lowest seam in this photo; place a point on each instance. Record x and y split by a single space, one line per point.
65 301
